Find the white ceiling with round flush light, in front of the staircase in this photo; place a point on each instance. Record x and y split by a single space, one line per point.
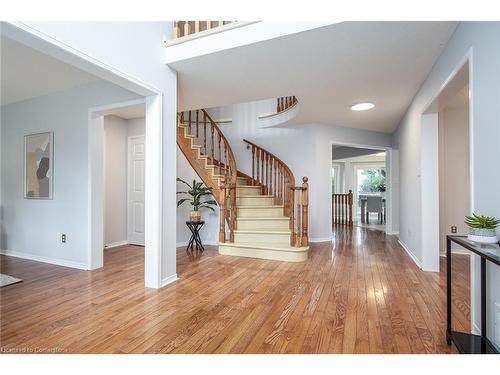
328 69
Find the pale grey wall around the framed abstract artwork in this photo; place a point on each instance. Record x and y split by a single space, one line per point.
33 228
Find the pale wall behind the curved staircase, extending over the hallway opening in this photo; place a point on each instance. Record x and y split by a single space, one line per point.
307 149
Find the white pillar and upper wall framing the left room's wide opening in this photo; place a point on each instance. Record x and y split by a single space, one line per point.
135 50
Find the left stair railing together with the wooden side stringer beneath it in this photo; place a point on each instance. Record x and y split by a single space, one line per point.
210 154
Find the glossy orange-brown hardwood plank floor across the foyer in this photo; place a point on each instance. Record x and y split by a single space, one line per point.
359 294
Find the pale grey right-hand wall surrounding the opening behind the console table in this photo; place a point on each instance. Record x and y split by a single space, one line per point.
483 39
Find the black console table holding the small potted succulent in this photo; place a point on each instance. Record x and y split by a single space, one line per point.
467 342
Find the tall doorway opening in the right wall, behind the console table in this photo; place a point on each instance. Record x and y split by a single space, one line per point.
449 144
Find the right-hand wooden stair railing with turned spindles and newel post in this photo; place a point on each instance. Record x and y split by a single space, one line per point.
276 179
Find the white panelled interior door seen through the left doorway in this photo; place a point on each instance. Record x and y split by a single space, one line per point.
136 153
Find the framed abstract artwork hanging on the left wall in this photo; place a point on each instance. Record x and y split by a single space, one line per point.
38 165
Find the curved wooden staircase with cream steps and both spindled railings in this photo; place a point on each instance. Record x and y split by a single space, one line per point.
263 215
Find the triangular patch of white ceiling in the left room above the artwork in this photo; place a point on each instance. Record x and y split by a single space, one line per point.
27 73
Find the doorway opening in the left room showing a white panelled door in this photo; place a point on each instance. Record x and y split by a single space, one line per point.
124 185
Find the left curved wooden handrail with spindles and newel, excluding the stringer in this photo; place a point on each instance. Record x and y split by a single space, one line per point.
216 147
